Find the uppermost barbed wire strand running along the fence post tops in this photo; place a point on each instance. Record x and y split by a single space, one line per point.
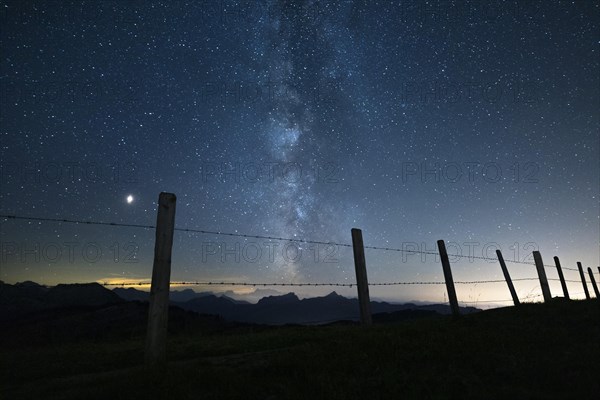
231 234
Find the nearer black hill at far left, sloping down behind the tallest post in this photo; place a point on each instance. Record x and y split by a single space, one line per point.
32 313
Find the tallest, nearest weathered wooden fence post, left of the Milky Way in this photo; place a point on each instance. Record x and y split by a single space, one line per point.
158 313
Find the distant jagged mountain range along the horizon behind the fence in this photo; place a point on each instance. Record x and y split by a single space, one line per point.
29 297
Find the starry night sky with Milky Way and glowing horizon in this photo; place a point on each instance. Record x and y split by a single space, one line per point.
469 121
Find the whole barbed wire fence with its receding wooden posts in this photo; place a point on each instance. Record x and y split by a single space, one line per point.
160 283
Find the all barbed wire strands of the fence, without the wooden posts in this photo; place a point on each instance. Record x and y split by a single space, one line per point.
303 241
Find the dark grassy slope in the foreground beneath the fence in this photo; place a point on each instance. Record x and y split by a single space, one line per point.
536 352
